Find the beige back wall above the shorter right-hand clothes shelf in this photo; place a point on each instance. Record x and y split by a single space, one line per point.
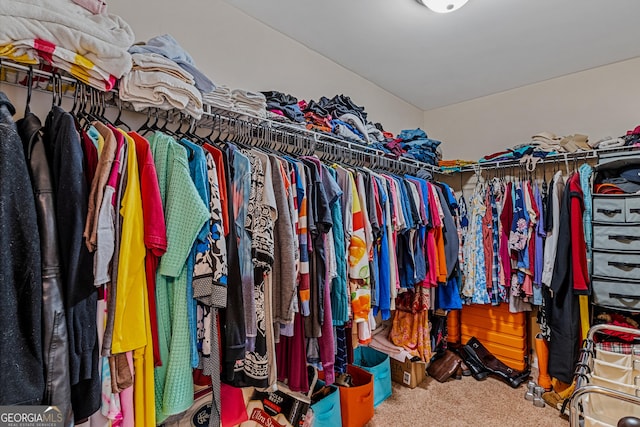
600 102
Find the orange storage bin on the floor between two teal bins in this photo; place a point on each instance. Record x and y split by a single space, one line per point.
356 402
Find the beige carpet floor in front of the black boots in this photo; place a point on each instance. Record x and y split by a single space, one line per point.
461 403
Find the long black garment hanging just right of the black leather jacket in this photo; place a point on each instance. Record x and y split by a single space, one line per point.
64 152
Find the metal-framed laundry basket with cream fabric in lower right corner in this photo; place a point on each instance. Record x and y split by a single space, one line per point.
607 383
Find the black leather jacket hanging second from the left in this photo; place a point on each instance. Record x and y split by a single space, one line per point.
54 326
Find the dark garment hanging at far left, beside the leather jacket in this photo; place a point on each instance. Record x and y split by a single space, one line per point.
21 272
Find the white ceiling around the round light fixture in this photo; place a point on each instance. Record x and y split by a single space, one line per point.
488 46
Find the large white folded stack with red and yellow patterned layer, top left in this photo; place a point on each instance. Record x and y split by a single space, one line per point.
91 47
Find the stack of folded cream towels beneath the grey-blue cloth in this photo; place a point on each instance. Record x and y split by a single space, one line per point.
156 81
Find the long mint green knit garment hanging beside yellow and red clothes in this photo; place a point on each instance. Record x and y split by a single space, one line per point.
185 214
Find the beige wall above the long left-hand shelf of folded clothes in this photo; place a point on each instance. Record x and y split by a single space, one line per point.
239 51
